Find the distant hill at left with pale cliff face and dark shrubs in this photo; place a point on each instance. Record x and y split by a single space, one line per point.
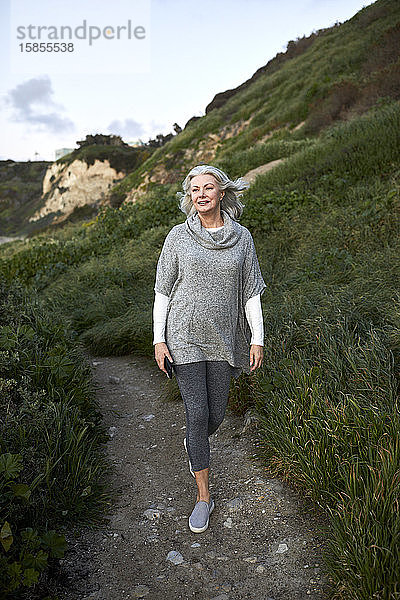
37 195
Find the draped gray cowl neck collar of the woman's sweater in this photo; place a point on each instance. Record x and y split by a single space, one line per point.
226 237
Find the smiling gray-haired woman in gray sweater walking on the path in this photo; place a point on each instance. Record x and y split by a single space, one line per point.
207 312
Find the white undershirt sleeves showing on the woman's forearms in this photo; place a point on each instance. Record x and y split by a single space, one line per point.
252 309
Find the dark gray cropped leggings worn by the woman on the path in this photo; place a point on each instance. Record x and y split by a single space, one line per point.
204 387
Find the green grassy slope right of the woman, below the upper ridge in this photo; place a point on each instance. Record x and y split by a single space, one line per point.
328 394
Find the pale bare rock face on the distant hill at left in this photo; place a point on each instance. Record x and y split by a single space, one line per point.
69 186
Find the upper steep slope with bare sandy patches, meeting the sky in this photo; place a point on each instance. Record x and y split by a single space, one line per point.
331 76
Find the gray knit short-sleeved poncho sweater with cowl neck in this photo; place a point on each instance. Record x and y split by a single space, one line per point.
209 276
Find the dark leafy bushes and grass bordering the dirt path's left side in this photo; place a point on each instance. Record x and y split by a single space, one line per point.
53 473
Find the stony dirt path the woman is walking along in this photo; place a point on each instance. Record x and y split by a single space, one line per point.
261 543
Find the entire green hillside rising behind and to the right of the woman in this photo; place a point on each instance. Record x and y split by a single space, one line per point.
321 127
